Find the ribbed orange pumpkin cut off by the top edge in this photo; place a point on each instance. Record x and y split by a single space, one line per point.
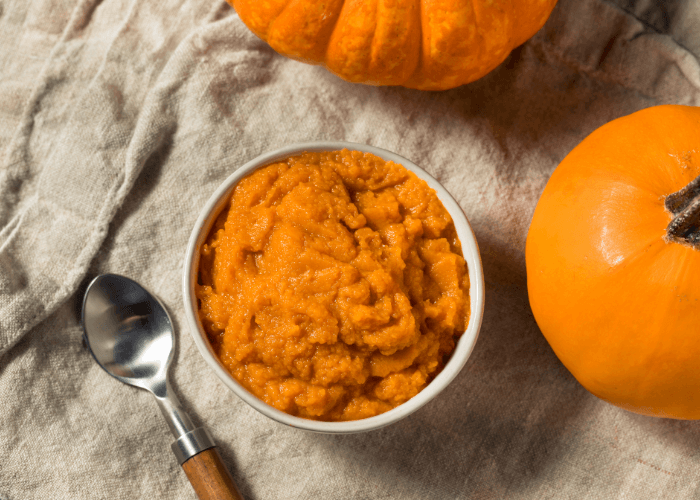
422 44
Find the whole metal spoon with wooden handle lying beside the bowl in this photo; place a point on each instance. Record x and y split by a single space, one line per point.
130 335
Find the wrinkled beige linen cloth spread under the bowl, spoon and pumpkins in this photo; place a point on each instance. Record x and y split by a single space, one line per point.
118 118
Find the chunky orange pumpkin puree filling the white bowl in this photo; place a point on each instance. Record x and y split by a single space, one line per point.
333 285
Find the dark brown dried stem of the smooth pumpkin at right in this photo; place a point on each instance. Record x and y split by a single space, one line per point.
685 207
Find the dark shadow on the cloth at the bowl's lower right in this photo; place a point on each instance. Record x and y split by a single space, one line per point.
497 428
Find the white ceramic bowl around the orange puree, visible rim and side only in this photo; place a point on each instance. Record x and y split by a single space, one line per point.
459 357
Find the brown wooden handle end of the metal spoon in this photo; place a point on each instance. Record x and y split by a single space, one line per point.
210 478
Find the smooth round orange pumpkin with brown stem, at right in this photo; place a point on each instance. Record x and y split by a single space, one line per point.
613 262
